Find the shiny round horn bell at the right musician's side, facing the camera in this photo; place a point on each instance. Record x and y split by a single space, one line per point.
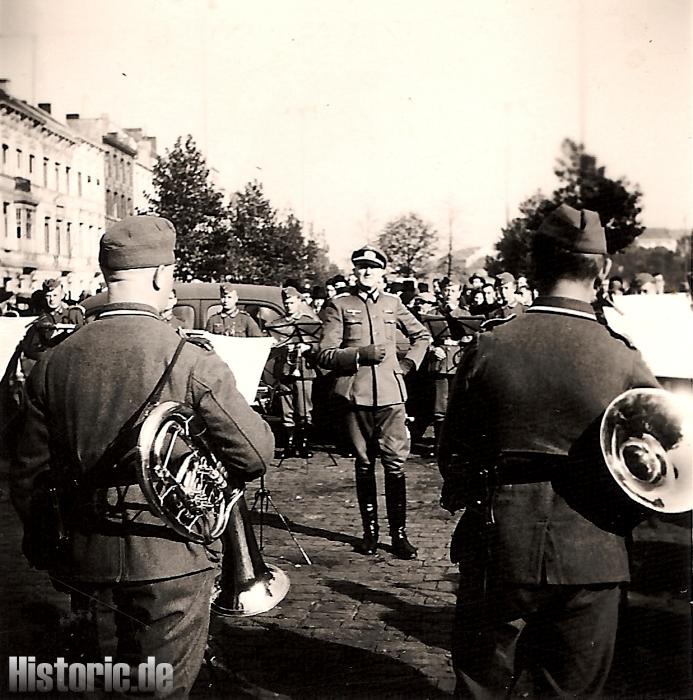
646 438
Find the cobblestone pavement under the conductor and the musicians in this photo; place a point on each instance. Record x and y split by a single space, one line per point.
371 627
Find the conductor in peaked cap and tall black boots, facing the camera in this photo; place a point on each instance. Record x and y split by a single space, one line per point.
359 343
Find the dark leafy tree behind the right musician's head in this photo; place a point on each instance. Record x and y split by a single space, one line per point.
583 185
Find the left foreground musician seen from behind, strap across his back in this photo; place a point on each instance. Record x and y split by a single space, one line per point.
78 397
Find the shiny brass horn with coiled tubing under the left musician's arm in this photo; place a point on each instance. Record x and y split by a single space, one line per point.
190 490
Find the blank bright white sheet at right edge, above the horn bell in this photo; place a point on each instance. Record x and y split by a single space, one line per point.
661 327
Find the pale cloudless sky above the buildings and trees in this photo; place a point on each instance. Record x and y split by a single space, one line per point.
351 113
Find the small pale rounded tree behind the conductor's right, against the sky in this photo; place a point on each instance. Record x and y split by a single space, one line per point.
409 243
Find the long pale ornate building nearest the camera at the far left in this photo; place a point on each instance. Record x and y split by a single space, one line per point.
52 188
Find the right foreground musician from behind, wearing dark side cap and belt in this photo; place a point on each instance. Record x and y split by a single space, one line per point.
541 545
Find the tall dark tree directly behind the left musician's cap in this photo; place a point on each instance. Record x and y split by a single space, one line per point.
183 193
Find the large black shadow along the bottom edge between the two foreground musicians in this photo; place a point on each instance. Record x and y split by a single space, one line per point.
281 662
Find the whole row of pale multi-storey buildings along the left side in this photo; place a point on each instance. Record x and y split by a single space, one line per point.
61 186
